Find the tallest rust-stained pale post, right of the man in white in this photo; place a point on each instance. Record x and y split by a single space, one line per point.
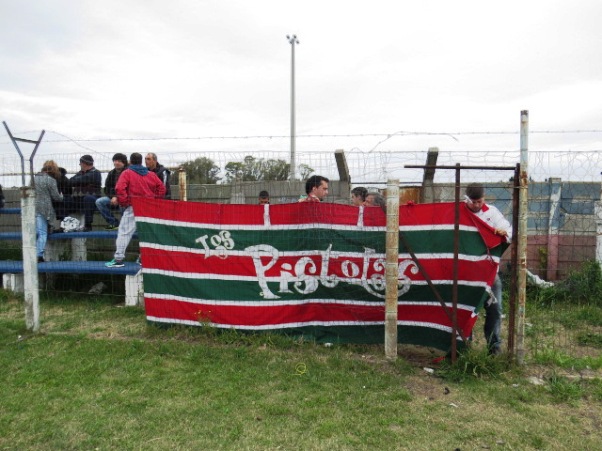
522 236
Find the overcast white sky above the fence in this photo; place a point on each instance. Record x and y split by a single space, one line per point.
117 69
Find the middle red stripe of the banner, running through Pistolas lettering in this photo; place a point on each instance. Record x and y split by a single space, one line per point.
437 269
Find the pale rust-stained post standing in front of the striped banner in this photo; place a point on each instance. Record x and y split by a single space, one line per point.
391 269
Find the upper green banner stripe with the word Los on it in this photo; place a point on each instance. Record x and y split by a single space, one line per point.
426 241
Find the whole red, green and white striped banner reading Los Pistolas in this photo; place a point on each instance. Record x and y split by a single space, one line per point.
311 269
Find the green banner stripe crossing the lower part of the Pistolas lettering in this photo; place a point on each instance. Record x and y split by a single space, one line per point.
215 289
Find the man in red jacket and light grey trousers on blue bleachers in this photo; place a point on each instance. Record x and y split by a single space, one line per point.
135 181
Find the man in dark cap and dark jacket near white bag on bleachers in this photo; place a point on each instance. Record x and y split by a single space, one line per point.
86 188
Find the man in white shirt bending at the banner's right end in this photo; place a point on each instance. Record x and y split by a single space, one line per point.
475 202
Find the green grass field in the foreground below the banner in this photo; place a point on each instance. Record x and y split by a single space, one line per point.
97 377
